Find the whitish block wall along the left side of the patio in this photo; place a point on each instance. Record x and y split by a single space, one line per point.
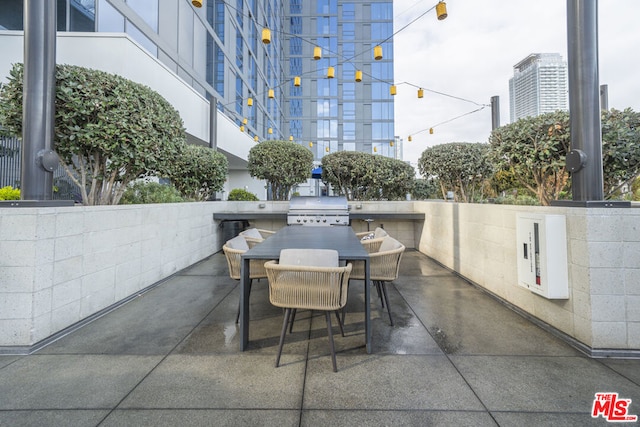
61 265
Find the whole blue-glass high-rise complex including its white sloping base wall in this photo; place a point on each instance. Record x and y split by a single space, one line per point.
193 55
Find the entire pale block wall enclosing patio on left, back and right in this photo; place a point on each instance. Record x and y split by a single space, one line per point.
59 266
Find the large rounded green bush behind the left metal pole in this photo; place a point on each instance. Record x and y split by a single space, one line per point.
109 131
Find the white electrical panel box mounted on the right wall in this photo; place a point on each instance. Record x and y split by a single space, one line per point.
542 254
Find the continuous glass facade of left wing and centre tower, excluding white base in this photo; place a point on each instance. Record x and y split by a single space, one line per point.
218 50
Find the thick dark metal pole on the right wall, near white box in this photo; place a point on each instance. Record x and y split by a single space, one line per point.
585 159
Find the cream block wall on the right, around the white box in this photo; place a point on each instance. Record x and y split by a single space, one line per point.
603 249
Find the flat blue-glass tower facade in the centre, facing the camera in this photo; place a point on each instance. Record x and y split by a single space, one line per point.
336 114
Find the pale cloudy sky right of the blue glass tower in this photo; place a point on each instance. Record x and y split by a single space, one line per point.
470 55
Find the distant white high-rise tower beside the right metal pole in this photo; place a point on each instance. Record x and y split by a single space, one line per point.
539 85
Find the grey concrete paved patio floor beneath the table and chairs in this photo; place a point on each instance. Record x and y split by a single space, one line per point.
170 357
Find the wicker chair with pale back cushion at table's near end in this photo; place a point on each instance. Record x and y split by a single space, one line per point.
308 279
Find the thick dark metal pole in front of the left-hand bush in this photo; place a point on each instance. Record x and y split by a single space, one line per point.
38 160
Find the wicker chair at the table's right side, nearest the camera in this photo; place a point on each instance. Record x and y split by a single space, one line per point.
384 266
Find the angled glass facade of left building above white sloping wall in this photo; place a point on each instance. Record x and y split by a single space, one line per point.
216 49
